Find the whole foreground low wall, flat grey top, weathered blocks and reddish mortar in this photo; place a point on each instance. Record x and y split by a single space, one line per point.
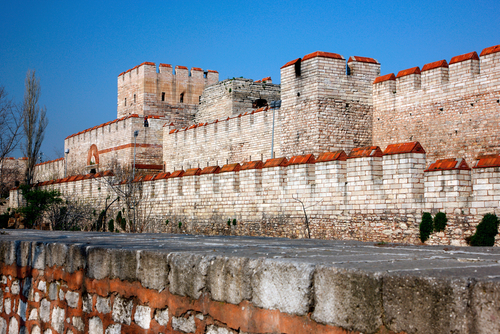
273 286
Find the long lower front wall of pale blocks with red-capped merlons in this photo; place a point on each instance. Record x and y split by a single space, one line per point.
366 196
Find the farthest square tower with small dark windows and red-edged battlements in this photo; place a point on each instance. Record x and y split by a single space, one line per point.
144 91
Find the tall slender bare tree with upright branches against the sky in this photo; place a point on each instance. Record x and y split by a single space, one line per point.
34 123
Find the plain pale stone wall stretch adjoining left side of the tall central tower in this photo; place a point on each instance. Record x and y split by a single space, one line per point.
232 140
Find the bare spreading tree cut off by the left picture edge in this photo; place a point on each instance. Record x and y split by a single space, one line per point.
10 125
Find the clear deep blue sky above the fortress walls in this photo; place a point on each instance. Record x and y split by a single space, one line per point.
79 48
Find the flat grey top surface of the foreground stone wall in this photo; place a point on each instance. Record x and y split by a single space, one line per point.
481 263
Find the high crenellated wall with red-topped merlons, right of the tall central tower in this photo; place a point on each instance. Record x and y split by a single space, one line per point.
452 109
